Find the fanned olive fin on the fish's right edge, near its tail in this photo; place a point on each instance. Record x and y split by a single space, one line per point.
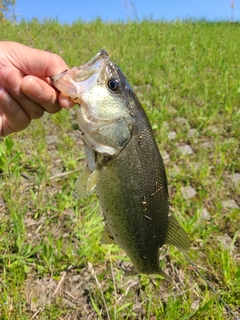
176 235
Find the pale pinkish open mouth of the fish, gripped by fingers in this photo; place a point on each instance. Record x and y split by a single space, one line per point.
73 82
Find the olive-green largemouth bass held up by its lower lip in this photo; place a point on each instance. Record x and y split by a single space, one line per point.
124 165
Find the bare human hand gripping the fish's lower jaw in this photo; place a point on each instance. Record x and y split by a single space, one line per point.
25 86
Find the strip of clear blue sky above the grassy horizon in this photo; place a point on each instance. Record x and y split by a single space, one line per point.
68 11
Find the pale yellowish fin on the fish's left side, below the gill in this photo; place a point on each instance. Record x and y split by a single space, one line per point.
87 182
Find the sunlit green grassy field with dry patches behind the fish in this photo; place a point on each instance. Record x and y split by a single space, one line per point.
52 265
